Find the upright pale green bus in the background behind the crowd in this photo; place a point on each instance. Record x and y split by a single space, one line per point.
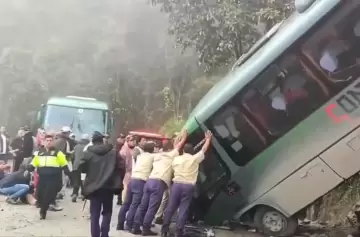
83 115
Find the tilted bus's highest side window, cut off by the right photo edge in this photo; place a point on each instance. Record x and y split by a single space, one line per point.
335 48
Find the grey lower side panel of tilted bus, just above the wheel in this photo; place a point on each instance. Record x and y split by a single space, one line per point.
301 188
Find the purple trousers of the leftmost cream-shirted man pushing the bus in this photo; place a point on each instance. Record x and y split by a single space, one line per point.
132 201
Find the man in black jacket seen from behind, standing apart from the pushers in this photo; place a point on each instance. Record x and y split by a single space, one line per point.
104 174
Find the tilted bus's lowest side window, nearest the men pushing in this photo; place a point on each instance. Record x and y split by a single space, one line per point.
236 134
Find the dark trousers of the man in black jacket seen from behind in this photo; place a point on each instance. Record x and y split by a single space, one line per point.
102 200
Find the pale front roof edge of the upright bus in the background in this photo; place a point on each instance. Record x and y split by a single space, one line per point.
78 102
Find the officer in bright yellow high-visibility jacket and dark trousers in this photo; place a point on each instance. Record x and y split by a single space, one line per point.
50 163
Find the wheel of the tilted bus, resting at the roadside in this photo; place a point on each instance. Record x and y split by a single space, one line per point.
273 223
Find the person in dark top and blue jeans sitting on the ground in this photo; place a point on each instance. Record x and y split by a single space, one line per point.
15 185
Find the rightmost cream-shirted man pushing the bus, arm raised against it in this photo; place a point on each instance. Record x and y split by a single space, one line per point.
186 169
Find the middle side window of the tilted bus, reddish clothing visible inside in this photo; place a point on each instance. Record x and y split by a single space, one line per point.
283 96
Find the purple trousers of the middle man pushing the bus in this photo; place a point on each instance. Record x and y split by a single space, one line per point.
150 202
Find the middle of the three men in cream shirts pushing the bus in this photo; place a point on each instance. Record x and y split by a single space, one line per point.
158 182
